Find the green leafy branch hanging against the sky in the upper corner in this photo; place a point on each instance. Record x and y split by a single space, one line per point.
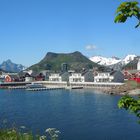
128 9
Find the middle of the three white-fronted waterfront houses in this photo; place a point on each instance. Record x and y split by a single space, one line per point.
76 77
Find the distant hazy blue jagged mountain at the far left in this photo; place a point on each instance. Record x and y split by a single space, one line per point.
11 67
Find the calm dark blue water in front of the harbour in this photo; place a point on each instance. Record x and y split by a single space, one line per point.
78 114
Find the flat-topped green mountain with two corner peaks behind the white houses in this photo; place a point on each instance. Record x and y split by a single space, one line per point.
53 61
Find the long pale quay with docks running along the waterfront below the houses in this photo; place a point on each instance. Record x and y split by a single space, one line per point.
49 85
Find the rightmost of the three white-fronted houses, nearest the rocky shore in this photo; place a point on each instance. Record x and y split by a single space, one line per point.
103 77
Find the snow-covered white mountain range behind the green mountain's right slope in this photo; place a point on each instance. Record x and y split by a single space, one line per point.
112 60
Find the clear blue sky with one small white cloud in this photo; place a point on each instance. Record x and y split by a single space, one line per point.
31 28
